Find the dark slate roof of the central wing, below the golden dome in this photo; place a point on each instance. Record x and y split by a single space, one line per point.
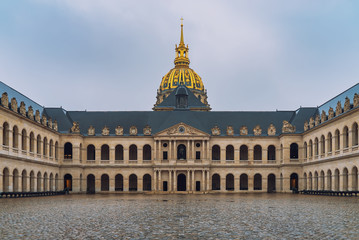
161 120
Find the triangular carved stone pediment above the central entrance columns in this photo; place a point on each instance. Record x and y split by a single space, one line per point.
181 130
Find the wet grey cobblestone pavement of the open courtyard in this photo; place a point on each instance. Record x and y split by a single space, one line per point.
211 216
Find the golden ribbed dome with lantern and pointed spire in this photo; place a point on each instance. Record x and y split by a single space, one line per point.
181 74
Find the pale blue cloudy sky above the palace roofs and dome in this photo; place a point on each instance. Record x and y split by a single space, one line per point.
111 55
